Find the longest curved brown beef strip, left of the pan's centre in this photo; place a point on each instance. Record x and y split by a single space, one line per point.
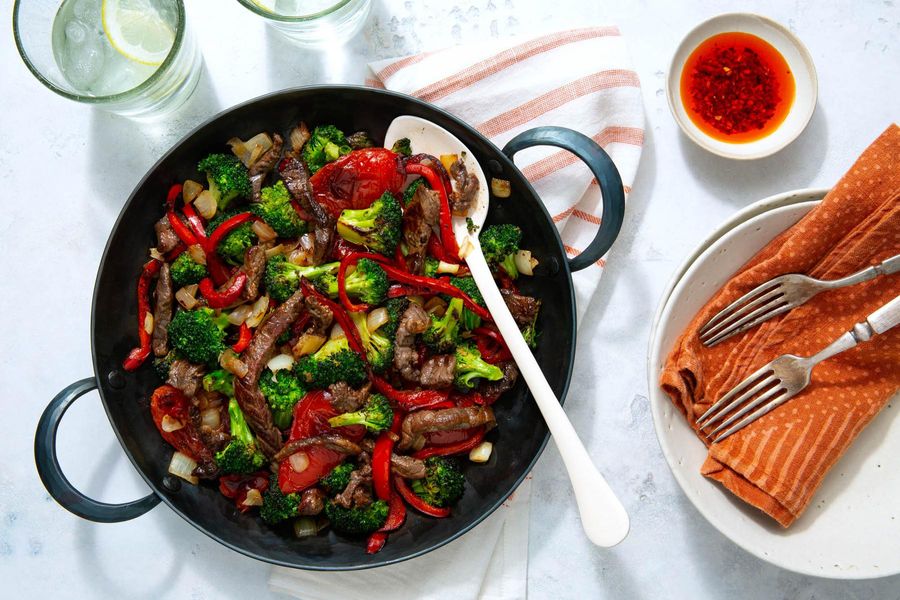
257 354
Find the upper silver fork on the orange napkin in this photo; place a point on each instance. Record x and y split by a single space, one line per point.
778 296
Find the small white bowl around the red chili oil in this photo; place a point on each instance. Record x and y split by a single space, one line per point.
793 51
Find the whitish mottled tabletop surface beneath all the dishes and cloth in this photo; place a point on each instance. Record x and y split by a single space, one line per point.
66 170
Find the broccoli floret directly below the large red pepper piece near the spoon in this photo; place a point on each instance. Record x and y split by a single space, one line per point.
378 227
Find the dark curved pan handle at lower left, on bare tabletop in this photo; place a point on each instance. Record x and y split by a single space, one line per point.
51 473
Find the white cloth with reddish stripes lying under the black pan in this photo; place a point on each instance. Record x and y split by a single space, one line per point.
581 79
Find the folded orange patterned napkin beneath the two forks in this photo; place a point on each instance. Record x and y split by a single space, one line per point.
778 462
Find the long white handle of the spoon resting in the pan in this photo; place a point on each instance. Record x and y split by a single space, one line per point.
602 515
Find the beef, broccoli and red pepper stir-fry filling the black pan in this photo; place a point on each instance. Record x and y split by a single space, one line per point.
325 356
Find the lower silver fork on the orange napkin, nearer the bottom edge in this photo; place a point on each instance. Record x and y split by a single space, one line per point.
785 377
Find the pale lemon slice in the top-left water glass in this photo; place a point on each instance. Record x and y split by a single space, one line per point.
136 31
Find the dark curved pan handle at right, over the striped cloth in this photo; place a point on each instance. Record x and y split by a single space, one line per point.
603 168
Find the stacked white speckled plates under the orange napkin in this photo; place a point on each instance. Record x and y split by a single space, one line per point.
852 528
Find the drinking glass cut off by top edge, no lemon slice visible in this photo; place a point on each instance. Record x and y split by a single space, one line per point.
313 22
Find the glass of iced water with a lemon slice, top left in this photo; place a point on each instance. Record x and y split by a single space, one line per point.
131 57
